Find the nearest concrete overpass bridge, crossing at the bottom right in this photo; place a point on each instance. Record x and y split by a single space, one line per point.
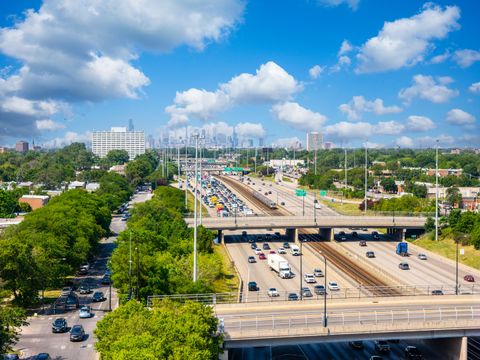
454 317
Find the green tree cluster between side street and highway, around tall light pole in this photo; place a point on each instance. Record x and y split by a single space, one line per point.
161 246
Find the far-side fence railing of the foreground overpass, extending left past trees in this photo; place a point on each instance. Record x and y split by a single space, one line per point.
346 293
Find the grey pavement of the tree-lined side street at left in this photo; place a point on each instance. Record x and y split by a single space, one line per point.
37 337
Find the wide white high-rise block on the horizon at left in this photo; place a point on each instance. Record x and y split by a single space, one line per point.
118 138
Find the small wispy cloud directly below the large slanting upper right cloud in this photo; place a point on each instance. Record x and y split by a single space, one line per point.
427 88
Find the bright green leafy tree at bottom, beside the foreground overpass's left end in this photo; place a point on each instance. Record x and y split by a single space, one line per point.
168 331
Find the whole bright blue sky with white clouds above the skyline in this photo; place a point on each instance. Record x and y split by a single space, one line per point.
396 73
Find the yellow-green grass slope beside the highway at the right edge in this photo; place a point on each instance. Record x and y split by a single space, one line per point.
447 248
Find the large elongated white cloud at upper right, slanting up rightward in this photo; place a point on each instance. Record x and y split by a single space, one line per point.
406 41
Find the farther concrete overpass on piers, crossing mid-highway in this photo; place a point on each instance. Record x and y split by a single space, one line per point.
397 226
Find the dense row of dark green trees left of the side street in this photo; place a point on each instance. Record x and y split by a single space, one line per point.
50 243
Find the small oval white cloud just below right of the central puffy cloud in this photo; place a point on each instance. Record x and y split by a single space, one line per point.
297 116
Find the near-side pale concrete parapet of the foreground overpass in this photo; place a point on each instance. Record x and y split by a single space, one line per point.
257 325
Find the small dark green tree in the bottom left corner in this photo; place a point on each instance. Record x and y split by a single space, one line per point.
11 319
